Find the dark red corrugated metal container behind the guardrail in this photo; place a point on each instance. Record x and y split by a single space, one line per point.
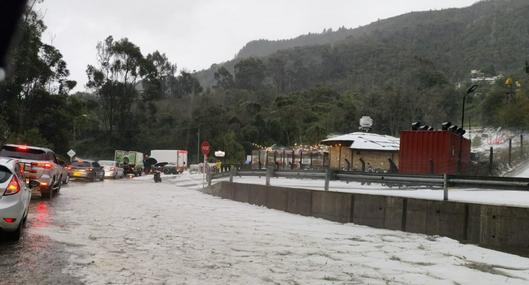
432 152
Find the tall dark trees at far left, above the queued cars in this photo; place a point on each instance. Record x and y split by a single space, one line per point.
37 89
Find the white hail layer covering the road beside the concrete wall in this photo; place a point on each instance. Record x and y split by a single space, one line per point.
139 232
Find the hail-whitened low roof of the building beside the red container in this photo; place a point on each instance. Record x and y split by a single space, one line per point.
366 141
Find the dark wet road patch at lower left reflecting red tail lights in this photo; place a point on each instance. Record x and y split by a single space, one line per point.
36 258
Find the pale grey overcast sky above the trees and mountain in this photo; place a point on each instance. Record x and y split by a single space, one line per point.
197 33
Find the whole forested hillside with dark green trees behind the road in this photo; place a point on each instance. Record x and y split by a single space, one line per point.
407 68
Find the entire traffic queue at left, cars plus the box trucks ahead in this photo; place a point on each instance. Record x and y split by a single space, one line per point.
31 172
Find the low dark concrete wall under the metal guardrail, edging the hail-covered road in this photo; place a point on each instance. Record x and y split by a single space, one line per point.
499 227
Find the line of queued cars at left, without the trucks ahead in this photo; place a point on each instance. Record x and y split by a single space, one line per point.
27 169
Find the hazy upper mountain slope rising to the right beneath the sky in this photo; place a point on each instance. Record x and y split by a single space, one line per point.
489 33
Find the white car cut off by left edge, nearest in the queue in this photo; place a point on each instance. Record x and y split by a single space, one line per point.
14 198
